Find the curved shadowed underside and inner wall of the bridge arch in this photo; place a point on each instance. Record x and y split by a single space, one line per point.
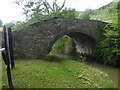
81 41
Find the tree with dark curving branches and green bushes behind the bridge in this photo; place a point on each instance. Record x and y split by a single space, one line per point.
39 10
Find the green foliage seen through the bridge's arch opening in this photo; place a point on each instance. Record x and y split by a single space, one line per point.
64 45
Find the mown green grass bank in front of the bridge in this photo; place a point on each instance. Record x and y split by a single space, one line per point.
56 74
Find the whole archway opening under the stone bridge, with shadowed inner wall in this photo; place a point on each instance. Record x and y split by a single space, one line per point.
73 43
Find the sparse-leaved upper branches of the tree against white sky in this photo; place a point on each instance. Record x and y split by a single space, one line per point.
41 7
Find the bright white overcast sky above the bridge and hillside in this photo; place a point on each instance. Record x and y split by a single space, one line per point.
10 12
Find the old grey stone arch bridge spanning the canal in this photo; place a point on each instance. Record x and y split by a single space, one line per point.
35 41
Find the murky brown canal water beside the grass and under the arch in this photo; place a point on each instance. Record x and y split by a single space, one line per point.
112 72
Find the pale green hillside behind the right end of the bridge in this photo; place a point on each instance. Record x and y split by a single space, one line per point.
105 13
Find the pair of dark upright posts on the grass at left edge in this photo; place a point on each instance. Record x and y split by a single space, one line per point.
7 53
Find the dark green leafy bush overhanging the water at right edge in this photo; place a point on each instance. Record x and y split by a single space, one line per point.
108 48
